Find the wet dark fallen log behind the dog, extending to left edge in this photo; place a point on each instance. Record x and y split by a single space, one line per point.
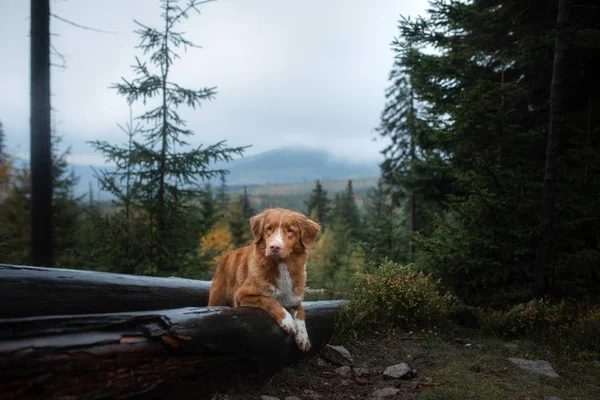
33 291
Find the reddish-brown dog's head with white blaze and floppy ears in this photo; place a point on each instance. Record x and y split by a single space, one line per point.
279 233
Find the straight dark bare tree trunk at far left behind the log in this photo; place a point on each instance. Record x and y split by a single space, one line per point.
41 147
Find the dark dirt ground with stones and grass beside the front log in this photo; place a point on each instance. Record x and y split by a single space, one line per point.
452 368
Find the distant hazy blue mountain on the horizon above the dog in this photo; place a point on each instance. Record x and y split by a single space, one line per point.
285 165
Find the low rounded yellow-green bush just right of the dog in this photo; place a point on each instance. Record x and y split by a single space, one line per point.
394 296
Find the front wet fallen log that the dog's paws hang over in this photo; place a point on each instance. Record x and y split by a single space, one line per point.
123 354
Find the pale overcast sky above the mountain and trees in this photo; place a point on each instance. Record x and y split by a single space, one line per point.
287 72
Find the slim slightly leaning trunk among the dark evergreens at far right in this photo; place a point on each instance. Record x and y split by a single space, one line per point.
555 132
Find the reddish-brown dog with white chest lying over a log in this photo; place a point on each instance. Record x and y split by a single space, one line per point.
270 273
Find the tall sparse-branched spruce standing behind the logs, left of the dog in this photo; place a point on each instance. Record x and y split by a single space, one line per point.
165 180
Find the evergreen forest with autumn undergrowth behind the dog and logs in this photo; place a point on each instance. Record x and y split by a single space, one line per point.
489 194
